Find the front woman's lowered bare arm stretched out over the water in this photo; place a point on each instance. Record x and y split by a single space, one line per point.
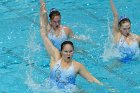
85 74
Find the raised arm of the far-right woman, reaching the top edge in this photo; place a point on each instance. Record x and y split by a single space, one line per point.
115 23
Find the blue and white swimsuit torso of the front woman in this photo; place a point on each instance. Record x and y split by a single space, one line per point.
62 76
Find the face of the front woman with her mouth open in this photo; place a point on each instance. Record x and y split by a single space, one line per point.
67 52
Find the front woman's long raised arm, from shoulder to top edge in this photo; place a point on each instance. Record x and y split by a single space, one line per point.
53 51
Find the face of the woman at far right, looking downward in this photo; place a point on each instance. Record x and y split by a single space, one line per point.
125 28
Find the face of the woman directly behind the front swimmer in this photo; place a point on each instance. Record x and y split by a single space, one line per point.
55 22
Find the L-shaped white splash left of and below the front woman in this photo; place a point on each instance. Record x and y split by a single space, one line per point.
37 86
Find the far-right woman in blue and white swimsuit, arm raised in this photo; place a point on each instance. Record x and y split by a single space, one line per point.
126 42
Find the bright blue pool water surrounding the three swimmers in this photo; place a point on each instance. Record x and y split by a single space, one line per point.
24 63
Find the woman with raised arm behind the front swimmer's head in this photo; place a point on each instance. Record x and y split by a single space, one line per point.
56 32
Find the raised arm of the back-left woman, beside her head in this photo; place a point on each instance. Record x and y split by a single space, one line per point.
44 16
